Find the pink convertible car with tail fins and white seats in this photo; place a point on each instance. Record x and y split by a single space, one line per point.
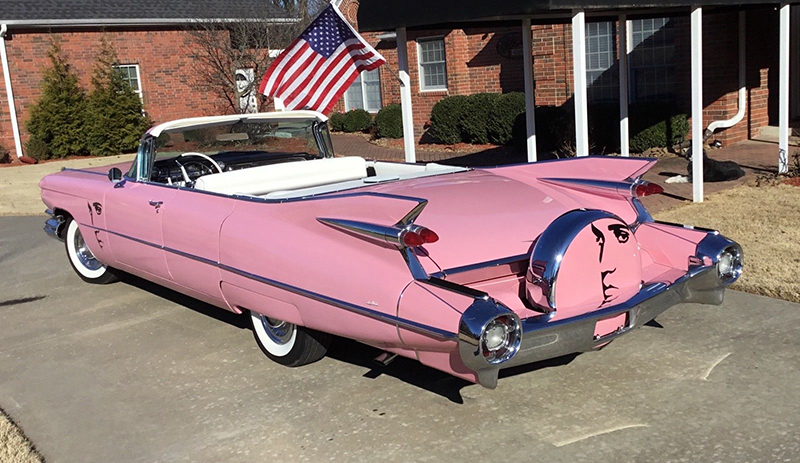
466 270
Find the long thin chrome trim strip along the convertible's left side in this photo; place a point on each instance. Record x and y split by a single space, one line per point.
374 314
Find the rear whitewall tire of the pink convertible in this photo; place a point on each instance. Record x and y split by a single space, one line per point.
286 343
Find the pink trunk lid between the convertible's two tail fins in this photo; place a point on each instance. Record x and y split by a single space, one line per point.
482 215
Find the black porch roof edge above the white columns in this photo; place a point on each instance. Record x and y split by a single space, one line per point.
383 15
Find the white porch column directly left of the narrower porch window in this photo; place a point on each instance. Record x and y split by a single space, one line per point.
579 73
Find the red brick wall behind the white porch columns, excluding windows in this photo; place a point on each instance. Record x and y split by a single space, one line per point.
474 65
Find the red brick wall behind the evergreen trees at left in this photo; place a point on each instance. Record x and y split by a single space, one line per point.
162 56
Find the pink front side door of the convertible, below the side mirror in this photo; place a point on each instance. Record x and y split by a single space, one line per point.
134 214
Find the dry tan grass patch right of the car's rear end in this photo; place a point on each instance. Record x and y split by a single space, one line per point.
766 222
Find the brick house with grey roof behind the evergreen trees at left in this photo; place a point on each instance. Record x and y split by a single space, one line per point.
152 45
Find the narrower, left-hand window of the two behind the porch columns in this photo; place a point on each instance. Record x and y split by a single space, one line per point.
601 73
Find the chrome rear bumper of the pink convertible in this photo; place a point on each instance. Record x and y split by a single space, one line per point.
544 338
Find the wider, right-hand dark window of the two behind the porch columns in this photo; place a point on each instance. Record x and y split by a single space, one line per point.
652 59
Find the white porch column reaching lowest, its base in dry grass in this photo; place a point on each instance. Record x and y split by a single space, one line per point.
697 104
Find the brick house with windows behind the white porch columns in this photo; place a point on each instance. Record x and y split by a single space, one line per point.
488 58
